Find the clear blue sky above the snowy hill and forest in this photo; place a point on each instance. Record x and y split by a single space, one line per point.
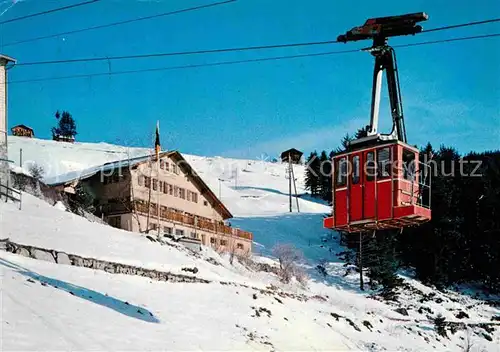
451 92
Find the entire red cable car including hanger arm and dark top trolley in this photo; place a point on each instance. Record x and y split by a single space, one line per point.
379 182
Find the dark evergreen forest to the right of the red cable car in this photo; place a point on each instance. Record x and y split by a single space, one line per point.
461 243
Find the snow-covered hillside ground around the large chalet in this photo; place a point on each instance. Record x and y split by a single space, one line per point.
46 306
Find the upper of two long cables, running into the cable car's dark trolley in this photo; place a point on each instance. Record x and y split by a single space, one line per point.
224 50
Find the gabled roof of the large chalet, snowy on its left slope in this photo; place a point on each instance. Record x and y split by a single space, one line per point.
192 175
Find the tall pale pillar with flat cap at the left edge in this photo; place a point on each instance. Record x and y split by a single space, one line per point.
4 156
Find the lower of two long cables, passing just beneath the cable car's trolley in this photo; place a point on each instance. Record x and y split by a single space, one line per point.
224 63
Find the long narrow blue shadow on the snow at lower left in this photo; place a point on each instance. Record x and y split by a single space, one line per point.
87 294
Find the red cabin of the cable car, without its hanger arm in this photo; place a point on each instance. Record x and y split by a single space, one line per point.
379 187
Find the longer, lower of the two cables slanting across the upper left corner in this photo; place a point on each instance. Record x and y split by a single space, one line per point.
118 23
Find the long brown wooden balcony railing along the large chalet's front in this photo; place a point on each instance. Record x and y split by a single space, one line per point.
193 221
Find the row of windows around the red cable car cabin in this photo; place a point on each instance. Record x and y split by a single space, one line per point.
381 167
